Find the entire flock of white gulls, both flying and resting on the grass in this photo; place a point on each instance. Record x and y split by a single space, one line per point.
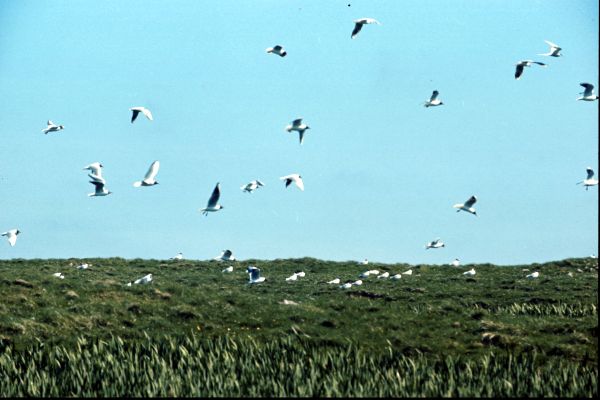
100 185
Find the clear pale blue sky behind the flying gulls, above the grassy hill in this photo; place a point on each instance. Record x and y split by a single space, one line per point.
381 172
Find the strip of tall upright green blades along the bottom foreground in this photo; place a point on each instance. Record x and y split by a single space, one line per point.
288 366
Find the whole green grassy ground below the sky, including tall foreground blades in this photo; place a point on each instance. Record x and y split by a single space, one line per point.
196 331
